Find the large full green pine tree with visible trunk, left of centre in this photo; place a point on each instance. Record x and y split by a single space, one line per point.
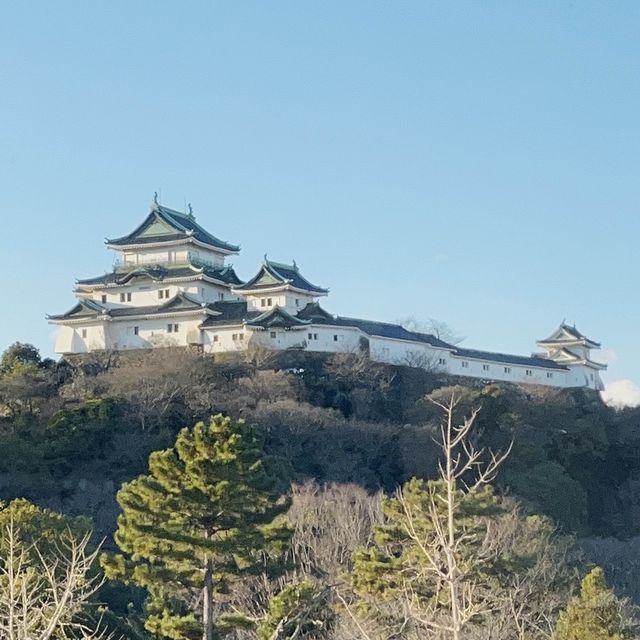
206 513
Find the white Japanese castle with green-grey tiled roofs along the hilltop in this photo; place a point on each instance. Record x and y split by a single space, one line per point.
171 287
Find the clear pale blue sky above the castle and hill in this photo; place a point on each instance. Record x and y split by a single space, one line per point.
474 162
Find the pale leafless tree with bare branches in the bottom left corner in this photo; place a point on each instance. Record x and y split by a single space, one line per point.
44 595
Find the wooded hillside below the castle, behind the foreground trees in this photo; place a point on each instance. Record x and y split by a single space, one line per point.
336 434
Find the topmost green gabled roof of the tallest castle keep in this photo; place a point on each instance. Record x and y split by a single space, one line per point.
167 225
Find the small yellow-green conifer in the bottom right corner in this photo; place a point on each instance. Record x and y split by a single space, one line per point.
597 614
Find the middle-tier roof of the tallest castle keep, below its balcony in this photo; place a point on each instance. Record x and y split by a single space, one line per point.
158 273
